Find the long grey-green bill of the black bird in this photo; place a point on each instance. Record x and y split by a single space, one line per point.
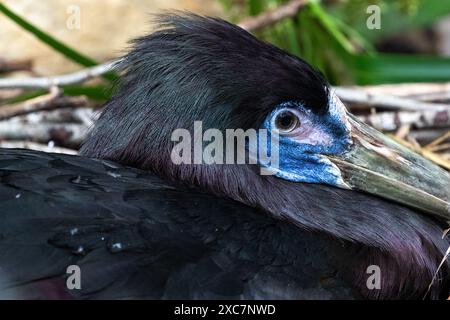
378 165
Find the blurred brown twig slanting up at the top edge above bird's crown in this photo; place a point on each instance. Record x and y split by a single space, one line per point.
270 17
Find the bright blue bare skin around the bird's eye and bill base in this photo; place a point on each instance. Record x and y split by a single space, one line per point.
303 162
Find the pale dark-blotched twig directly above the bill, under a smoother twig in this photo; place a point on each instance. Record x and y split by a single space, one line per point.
389 121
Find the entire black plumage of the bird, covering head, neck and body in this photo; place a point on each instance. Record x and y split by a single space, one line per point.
196 231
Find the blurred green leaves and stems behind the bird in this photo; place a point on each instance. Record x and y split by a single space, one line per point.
330 34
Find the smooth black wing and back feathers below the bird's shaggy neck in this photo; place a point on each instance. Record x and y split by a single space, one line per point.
174 242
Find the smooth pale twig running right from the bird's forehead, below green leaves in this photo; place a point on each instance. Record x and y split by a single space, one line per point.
359 96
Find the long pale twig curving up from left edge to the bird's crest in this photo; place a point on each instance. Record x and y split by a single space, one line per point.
58 81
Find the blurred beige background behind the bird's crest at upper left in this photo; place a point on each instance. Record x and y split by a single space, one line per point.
105 27
